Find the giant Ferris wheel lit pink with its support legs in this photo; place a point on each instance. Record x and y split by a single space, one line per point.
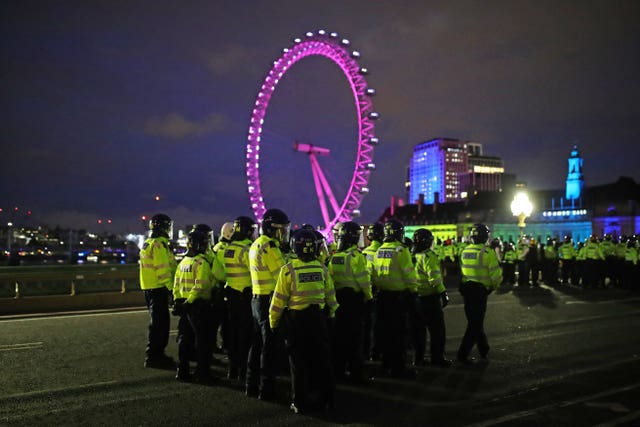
337 49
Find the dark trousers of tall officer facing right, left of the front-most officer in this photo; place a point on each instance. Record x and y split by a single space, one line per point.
262 358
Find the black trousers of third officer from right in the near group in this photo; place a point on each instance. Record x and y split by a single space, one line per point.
392 320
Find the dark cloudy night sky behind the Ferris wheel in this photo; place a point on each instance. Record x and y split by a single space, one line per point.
106 104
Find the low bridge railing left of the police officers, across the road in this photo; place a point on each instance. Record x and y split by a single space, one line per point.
18 282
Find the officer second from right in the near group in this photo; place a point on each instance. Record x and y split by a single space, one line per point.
432 298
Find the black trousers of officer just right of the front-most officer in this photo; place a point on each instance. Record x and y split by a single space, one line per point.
348 334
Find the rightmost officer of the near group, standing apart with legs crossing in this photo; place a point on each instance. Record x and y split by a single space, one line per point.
481 274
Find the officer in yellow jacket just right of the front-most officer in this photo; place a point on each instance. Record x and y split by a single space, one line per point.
348 269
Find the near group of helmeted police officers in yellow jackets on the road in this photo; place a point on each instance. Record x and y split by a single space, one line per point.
334 306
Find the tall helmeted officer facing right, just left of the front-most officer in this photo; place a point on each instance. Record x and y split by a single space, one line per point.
265 261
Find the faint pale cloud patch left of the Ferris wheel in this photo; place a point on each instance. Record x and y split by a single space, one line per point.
176 126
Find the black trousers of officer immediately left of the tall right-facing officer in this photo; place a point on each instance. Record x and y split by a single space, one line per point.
239 330
